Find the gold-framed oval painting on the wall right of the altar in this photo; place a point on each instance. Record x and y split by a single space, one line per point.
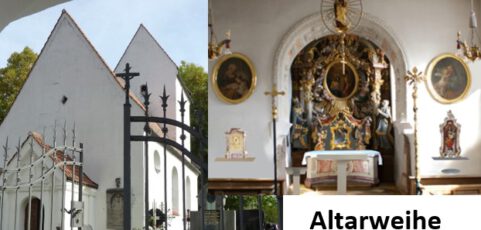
448 78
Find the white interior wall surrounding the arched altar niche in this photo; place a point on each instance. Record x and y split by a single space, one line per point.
421 37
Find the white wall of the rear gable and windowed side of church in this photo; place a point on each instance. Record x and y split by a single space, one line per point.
156 68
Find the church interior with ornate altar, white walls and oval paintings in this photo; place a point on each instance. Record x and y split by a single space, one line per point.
344 97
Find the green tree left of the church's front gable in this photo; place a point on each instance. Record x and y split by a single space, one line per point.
13 76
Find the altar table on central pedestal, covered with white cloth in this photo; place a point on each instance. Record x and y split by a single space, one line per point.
342 157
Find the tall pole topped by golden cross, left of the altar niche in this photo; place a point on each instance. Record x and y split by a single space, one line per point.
275 93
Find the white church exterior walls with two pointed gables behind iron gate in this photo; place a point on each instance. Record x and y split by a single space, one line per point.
69 66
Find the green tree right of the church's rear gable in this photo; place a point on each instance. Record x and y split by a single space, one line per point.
195 80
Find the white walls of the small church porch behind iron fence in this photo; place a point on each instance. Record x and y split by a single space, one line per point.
15 204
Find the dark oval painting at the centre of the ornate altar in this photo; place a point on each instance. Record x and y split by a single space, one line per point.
341 80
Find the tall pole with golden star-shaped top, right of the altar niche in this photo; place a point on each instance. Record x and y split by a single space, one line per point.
413 78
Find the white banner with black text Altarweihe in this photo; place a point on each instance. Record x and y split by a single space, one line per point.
382 212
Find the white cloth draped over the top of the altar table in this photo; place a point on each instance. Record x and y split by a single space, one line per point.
346 154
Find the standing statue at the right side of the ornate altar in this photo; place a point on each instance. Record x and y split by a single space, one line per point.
383 125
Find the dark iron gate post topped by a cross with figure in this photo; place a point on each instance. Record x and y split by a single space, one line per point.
127 76
